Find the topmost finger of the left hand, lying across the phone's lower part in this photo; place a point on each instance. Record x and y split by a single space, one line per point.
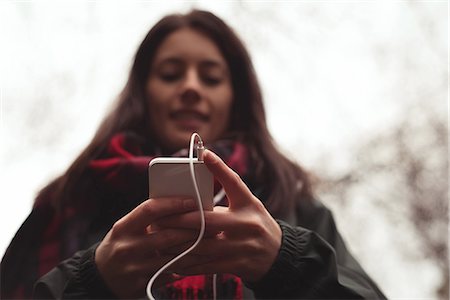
150 210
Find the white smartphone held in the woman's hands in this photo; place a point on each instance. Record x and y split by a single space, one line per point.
171 176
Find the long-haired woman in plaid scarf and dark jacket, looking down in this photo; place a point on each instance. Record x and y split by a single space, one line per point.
92 234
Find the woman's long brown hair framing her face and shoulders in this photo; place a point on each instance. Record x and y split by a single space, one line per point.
283 180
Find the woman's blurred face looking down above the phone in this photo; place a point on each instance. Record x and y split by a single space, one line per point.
189 90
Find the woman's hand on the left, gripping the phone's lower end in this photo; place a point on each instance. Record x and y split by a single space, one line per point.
130 253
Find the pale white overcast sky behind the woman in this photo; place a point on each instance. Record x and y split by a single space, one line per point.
333 74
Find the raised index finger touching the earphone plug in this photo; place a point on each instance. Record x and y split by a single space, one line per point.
237 192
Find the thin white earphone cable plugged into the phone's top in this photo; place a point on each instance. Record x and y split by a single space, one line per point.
200 149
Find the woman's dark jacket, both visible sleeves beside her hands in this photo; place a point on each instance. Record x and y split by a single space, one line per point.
313 263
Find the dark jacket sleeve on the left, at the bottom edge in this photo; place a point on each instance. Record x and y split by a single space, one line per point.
74 278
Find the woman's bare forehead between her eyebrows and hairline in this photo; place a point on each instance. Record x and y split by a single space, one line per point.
188 44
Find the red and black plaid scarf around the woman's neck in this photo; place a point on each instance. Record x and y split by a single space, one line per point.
119 177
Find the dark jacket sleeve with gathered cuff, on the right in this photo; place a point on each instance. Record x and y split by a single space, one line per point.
314 263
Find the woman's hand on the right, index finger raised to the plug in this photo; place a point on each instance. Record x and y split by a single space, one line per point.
242 239
